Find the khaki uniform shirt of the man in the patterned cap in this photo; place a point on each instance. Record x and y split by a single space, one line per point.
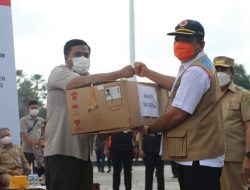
236 111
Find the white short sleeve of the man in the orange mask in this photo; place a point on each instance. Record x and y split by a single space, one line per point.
194 84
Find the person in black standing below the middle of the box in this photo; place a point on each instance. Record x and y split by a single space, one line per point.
122 152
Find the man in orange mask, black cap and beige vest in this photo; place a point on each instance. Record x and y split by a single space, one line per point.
192 124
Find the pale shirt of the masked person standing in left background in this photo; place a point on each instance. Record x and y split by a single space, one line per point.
26 123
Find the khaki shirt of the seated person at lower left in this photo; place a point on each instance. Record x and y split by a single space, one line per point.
12 158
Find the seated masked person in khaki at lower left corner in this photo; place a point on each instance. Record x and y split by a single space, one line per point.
12 159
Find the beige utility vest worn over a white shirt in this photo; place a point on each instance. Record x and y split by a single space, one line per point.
200 136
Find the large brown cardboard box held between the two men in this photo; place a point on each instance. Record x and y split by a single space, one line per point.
118 105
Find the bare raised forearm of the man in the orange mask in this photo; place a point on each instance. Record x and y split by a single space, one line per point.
163 80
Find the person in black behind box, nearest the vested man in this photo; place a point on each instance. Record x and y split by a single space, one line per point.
149 150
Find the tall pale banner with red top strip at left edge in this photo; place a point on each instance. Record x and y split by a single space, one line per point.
9 116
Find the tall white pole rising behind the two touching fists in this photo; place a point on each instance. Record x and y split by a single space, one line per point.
132 34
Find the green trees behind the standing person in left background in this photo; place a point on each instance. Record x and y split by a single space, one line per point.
33 88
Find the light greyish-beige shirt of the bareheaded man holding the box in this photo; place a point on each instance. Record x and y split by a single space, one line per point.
58 137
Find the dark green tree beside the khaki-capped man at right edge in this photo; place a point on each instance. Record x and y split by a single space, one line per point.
241 78
